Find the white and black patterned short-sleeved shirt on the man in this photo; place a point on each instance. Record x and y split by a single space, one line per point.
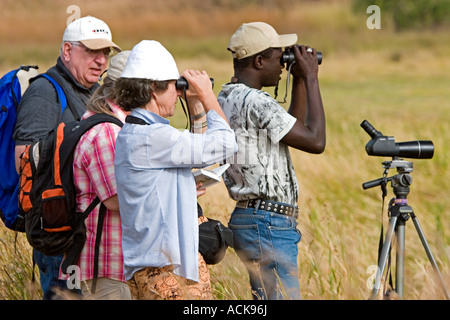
262 168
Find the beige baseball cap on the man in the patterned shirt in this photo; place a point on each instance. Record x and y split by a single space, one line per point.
254 37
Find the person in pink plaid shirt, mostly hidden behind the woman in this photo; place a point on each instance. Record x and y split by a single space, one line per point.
93 170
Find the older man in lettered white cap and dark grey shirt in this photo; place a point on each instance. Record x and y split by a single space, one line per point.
84 55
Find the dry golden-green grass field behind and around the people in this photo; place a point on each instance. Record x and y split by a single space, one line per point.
397 81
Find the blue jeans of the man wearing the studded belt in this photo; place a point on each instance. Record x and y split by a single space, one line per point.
267 244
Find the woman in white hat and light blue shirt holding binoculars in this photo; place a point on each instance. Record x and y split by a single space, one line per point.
156 188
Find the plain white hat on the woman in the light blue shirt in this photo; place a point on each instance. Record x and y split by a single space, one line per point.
150 60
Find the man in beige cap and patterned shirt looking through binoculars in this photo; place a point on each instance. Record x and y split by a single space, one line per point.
261 177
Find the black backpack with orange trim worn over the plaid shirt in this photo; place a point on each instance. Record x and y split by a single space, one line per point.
47 193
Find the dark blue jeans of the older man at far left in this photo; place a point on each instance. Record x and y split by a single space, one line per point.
49 273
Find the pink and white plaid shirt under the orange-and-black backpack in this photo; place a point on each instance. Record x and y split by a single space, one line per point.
93 170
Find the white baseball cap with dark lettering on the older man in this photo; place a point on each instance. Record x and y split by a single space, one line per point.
91 32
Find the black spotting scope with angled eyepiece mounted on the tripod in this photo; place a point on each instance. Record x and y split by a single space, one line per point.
382 146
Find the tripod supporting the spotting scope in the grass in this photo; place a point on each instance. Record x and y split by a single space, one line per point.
400 212
